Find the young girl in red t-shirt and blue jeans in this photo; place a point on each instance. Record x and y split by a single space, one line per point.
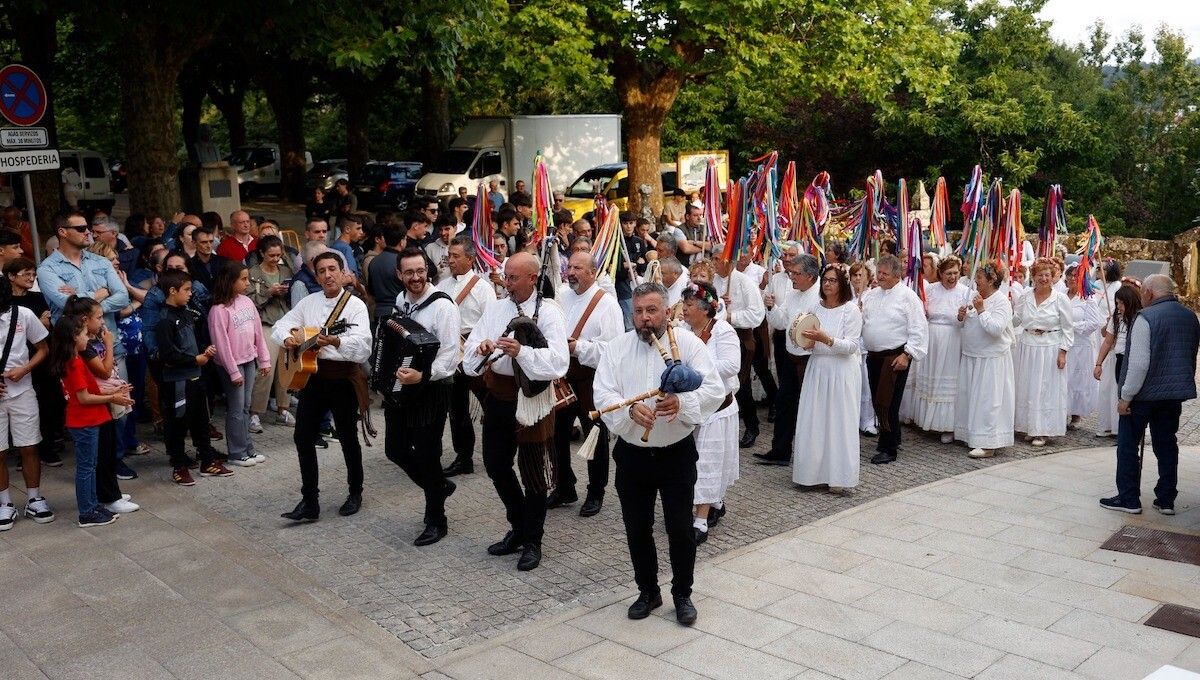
88 419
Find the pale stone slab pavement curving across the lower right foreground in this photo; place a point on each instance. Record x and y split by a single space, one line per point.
992 575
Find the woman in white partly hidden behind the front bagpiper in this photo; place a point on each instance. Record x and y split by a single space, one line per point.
717 440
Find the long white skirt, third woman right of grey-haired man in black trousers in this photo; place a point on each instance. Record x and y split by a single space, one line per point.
1041 392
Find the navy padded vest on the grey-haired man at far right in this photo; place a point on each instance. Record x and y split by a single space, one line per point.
1174 341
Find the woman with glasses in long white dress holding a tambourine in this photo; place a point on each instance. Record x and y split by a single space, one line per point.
826 450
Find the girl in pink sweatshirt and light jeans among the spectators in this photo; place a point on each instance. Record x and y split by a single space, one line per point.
238 336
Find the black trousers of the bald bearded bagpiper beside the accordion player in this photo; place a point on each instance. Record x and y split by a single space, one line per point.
525 509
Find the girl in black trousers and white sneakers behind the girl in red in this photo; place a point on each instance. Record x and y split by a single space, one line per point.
98 357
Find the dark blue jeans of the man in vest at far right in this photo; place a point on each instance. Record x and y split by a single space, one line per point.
1163 419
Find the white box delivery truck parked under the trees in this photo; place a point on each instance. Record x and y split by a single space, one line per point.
503 149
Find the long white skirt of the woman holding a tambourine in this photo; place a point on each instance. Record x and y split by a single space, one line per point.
826 448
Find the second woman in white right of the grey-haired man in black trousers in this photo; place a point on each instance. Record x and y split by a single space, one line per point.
983 413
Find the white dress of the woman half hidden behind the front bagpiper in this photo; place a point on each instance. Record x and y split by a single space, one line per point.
717 438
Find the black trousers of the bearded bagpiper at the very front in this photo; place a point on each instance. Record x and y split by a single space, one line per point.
643 474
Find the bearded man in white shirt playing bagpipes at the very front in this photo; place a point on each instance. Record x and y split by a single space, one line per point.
664 465
